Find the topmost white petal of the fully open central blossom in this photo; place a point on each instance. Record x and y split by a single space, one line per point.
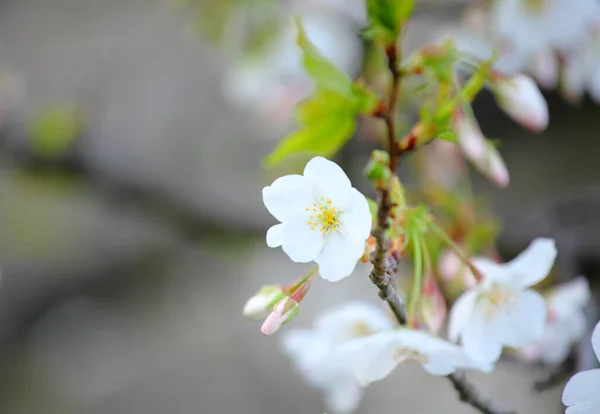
331 179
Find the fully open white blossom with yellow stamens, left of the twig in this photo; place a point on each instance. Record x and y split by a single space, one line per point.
323 218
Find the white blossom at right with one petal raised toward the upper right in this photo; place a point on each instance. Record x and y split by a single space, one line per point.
500 310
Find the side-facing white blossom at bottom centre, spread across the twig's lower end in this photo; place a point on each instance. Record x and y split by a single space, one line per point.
375 357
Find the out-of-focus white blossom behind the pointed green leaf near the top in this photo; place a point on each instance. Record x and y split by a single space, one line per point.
272 81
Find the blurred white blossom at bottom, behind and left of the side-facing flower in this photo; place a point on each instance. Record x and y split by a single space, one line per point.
315 352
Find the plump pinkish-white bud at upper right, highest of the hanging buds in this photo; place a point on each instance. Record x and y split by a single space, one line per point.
522 100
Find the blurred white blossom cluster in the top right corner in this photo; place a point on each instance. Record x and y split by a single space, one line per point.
556 41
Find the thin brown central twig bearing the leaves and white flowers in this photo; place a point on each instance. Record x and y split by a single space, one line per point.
384 265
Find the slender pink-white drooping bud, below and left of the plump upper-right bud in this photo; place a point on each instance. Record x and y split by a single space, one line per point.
484 156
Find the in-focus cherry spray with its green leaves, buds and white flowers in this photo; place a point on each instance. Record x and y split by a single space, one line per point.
465 308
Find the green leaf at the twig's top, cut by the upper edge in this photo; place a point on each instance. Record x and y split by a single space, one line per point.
387 18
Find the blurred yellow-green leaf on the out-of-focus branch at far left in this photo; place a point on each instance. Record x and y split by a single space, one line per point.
54 130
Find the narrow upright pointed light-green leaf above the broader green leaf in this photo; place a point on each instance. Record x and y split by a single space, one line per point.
325 74
